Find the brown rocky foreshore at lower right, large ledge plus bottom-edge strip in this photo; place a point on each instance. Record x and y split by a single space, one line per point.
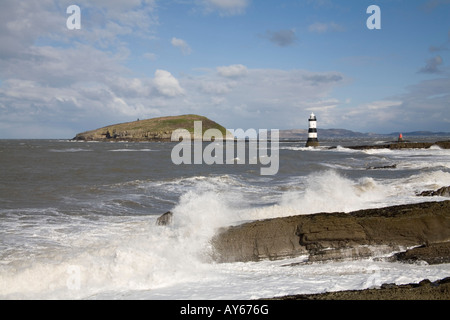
424 228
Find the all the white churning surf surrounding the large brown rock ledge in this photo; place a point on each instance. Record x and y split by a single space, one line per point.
47 253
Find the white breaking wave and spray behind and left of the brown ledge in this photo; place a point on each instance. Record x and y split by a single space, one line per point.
122 254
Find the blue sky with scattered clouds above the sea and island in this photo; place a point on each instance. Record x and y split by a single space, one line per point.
247 64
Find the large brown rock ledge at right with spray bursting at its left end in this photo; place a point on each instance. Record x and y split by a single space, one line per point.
325 236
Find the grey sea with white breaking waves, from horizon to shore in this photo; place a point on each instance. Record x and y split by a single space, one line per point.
78 219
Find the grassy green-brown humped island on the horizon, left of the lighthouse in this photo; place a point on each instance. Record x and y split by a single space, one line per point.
156 129
